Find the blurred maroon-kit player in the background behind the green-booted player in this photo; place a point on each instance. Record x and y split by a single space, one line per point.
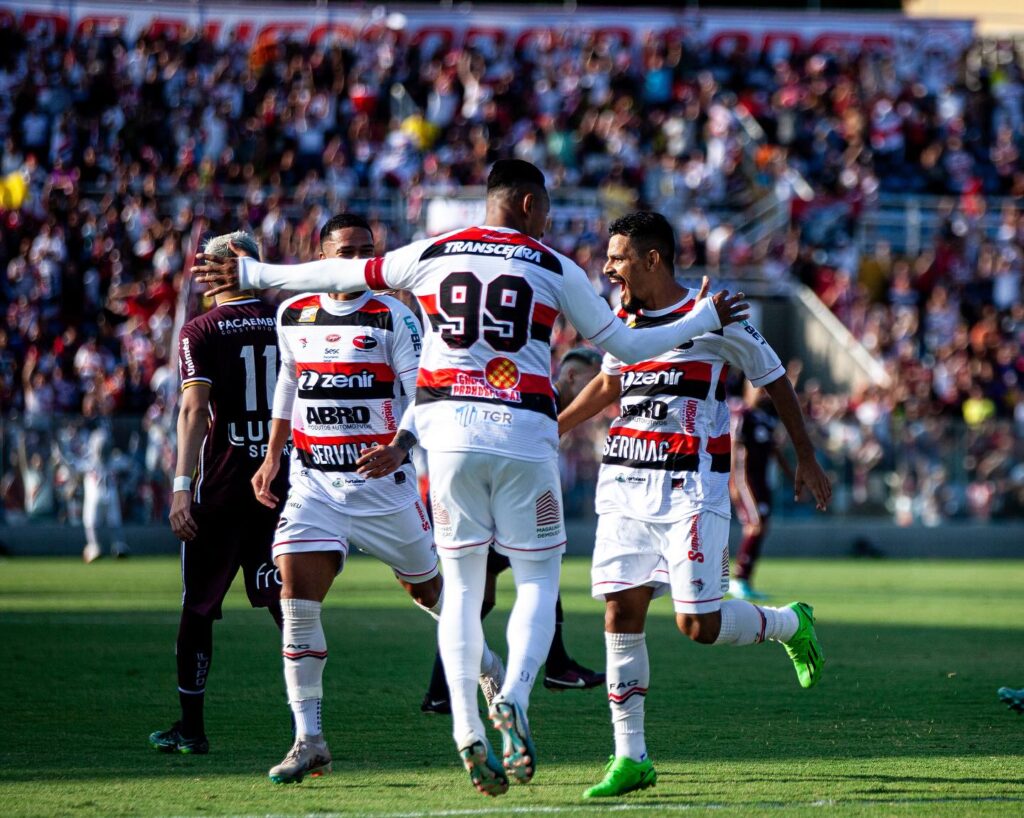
755 447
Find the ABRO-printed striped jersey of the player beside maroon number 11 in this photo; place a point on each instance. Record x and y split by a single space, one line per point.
346 367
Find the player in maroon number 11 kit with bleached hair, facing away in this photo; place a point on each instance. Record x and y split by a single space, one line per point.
229 367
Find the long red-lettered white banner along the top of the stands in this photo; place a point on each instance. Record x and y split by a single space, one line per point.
779 33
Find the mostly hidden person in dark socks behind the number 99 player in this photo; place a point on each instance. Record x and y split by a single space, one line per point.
578 368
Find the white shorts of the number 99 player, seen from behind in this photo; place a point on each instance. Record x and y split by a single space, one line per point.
480 499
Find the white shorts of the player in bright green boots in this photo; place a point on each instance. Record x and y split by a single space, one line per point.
690 556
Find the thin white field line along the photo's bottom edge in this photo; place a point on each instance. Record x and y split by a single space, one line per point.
653 808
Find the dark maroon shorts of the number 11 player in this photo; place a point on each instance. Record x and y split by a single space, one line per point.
228 541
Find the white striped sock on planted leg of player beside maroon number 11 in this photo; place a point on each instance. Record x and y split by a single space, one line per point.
305 650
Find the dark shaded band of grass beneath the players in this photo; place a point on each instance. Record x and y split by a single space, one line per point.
82 697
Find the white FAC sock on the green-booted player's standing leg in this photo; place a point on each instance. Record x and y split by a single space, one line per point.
629 677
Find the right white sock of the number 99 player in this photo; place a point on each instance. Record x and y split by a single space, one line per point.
532 624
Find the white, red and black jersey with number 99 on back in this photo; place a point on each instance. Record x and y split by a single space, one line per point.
492 296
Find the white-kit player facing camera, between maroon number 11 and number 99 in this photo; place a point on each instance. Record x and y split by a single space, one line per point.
347 362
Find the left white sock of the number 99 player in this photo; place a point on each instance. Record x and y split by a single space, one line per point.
460 638
